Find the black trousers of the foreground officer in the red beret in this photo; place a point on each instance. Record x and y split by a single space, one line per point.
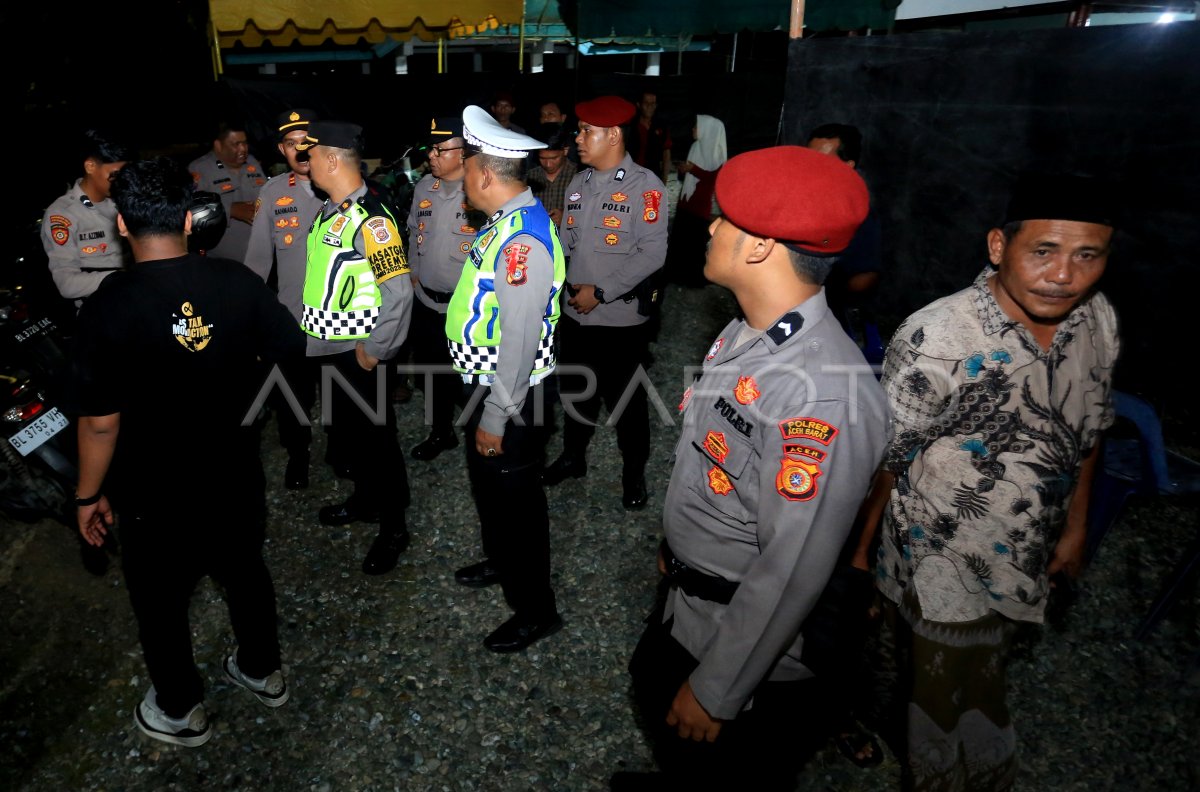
765 747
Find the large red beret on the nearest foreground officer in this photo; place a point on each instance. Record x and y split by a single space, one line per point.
794 195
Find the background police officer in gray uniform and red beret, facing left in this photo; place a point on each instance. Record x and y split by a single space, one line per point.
615 232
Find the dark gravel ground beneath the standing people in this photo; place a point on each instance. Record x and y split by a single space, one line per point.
394 691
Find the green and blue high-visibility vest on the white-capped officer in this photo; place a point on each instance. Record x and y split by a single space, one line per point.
473 317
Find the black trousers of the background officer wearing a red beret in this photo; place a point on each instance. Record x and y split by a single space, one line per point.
614 356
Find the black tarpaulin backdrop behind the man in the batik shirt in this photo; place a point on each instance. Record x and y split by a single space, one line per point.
951 119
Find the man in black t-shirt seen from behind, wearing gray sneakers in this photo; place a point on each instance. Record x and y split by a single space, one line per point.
167 371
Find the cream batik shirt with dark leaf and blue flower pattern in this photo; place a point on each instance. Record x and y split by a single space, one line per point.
991 433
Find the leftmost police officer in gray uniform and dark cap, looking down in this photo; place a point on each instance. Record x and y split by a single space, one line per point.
80 229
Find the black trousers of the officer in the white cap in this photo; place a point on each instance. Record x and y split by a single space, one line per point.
512 505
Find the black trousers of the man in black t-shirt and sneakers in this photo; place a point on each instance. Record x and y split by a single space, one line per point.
166 550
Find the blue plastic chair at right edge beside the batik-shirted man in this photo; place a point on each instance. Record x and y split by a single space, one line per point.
1143 466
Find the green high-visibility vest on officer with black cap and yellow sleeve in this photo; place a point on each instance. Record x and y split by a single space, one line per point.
341 289
